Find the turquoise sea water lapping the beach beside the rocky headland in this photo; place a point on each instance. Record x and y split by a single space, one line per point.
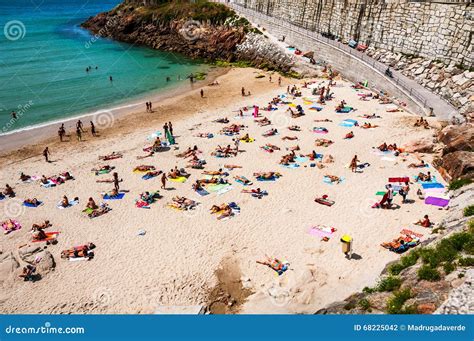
44 55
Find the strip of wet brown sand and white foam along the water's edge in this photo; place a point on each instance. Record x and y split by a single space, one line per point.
27 137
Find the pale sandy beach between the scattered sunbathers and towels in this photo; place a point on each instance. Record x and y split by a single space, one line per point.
175 261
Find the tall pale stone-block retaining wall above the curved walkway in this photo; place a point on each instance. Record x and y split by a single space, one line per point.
428 29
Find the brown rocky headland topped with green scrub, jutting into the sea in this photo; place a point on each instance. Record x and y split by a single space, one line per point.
196 29
